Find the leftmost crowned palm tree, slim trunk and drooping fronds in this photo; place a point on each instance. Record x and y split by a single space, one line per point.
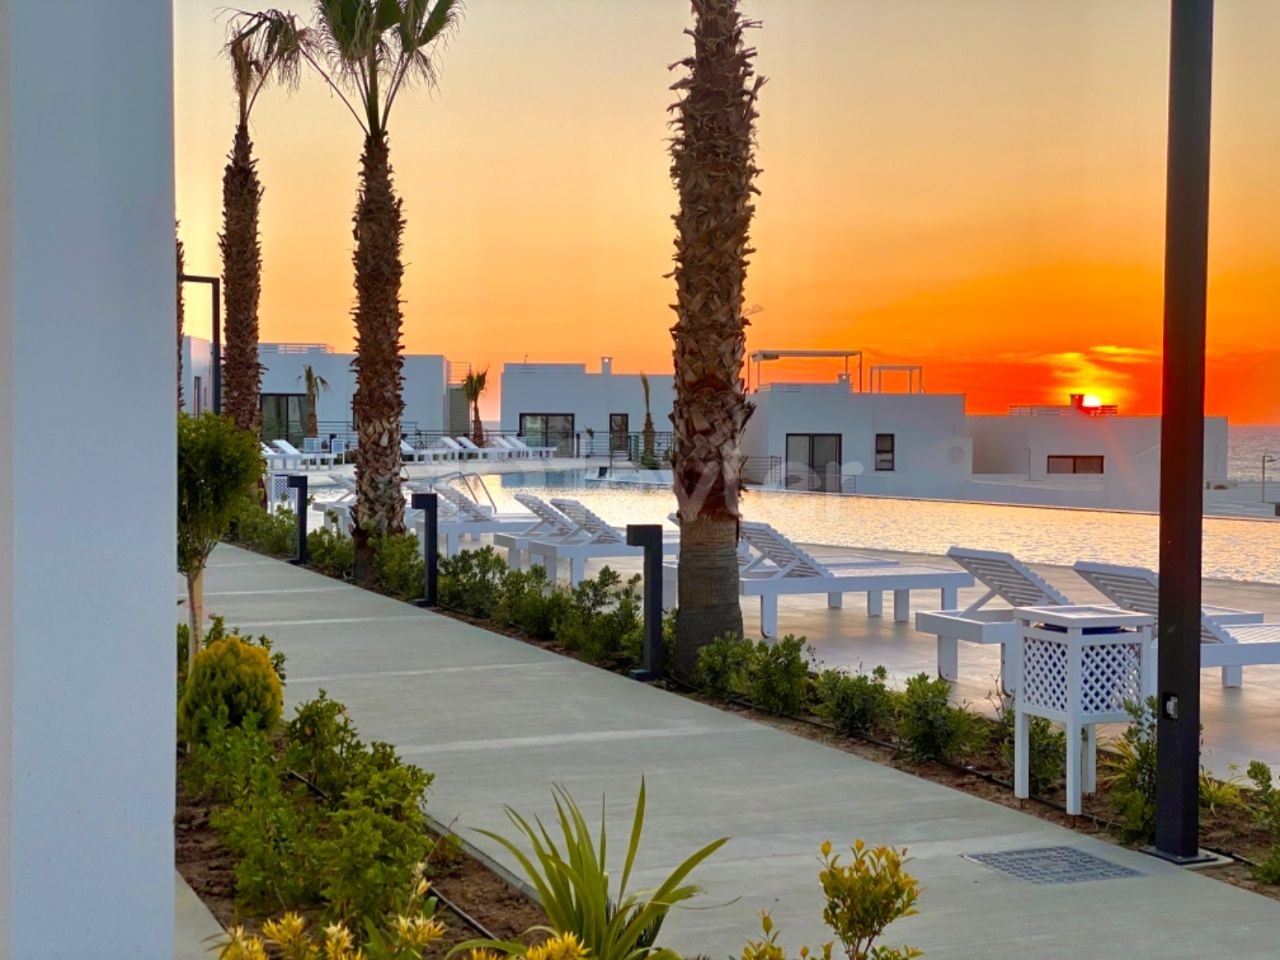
263 48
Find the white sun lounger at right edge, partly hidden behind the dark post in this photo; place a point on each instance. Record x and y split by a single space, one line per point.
1139 589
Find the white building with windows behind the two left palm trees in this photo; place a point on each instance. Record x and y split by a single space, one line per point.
428 394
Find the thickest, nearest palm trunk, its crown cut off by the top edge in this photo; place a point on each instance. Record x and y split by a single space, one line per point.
714 168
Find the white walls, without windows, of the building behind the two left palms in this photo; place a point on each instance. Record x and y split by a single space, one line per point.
424 383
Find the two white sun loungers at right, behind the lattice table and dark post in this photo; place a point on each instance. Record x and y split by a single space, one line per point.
1231 639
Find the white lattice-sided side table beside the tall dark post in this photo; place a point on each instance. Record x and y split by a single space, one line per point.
1077 666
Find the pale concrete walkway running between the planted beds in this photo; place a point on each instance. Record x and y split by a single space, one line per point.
500 721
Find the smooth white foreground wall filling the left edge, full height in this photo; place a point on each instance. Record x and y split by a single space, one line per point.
86 596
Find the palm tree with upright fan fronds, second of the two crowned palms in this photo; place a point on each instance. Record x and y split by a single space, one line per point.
368 53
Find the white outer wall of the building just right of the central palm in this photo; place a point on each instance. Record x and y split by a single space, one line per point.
932 455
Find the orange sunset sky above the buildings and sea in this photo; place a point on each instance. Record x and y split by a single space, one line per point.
972 185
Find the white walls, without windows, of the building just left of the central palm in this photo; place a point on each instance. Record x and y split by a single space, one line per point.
591 397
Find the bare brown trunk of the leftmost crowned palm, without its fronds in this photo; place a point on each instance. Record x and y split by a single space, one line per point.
243 268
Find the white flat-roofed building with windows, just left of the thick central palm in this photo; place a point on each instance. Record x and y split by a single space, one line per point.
563 404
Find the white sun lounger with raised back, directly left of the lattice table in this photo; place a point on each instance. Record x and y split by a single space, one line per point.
1007 579
